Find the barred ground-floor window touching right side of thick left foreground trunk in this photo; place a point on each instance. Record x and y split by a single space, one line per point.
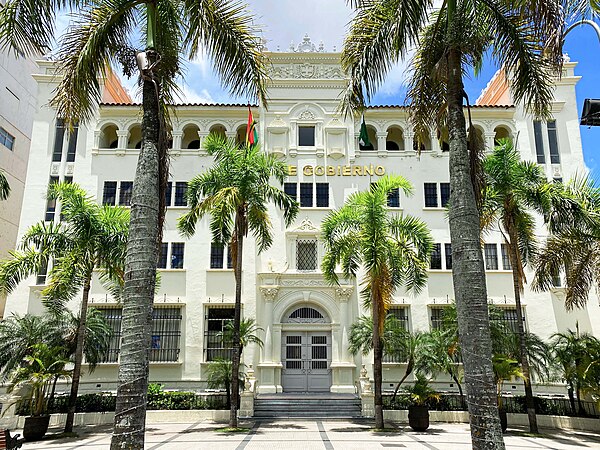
166 333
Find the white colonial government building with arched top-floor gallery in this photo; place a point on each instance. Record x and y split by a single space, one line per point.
306 321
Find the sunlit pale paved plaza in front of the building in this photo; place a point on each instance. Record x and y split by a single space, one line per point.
313 434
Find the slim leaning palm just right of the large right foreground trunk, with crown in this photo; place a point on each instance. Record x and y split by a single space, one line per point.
516 190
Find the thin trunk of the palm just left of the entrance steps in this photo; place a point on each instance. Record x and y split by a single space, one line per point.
235 357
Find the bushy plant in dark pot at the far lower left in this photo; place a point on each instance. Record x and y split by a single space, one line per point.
36 376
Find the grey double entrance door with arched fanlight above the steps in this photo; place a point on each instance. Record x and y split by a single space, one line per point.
306 351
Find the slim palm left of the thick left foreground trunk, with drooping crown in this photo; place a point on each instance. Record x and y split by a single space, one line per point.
90 238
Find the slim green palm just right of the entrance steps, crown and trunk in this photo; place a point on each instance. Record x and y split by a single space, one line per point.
393 251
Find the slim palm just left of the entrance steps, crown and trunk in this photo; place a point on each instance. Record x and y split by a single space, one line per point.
236 192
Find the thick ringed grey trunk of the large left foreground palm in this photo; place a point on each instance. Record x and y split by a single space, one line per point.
140 277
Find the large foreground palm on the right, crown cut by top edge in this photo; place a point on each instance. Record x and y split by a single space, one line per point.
449 42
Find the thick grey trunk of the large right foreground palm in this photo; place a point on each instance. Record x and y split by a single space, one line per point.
468 274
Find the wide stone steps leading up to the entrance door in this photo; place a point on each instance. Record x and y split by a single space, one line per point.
309 405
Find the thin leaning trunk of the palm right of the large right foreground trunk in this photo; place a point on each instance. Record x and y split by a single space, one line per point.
529 400
